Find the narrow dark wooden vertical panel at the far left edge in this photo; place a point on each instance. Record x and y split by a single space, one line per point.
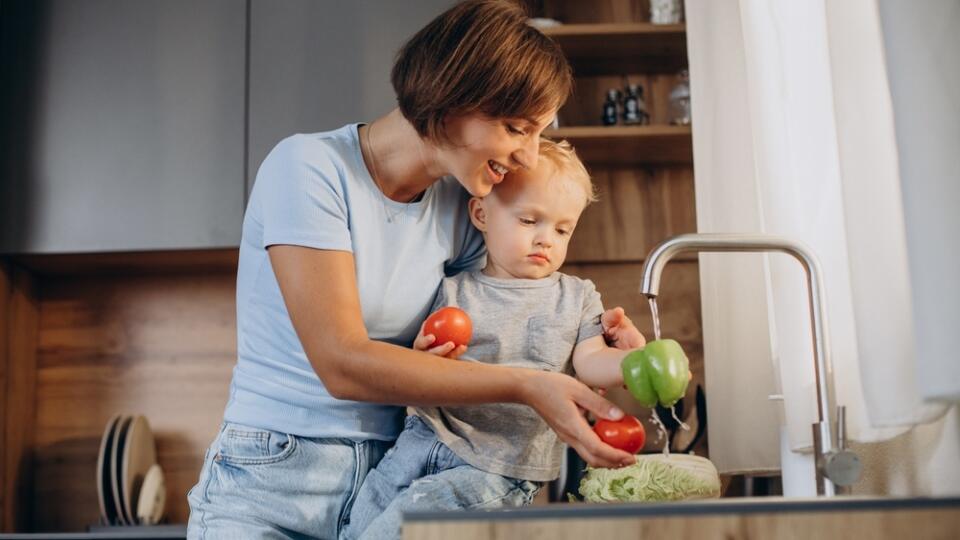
18 306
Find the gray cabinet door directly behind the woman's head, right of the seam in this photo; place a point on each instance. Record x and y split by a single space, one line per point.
315 66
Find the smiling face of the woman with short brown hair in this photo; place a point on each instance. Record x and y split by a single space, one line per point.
483 150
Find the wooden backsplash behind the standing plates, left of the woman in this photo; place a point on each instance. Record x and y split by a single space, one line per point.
162 346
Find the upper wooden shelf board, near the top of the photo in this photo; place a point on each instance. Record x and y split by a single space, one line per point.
621 48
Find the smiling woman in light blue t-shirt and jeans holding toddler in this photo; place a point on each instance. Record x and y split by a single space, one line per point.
345 239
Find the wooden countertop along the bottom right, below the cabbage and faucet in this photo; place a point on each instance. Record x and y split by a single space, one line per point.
846 518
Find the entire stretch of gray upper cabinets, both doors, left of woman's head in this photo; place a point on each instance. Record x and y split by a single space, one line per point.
139 125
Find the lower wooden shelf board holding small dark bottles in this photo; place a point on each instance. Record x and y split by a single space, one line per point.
629 145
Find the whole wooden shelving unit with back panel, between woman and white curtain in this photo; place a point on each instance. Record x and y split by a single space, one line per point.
643 173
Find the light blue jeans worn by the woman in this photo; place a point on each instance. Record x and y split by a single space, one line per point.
257 483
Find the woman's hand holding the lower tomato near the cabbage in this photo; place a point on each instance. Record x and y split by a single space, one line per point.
560 400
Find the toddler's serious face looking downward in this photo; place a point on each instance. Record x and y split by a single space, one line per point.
527 222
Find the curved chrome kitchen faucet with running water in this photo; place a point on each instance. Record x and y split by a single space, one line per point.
836 467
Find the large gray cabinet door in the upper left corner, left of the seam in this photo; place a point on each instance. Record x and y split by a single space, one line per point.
124 125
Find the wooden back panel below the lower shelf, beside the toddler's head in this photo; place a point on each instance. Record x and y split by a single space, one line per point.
637 209
